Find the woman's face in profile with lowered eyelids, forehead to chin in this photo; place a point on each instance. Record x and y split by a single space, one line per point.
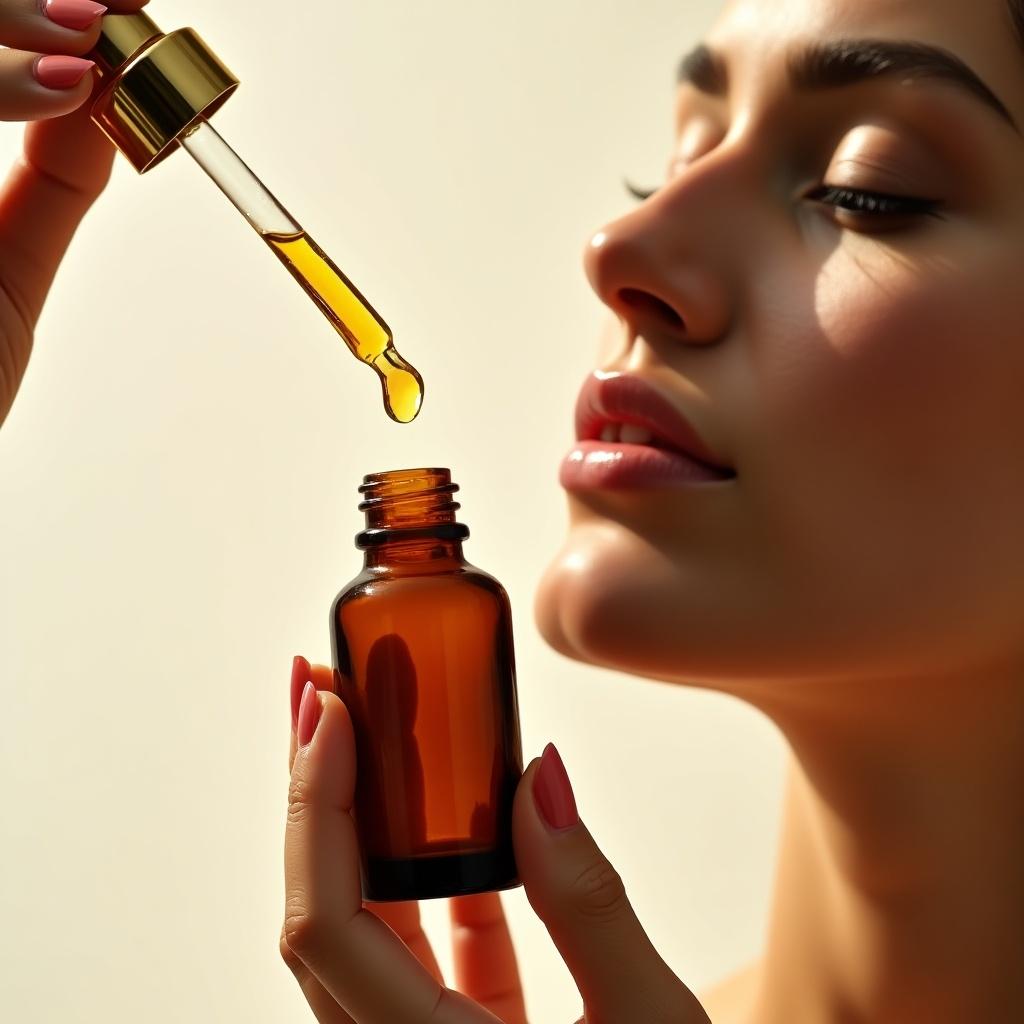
862 370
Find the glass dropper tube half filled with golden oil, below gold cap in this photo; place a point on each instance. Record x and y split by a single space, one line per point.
366 333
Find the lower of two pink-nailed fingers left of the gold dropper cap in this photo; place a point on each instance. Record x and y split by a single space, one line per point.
34 88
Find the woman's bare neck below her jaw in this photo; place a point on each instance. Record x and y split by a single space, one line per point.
900 887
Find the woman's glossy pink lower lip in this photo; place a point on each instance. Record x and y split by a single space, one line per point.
603 466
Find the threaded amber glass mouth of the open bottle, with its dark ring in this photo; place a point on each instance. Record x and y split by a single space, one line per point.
410 504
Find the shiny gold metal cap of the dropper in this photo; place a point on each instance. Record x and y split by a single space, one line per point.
154 88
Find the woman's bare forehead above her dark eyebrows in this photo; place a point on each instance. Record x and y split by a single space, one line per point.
757 35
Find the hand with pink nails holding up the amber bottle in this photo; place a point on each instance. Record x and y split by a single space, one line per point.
371 964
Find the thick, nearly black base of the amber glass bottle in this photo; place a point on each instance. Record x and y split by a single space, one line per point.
436 876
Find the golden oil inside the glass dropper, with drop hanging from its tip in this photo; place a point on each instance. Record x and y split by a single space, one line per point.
367 335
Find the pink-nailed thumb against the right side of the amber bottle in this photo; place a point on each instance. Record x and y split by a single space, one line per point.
582 901
